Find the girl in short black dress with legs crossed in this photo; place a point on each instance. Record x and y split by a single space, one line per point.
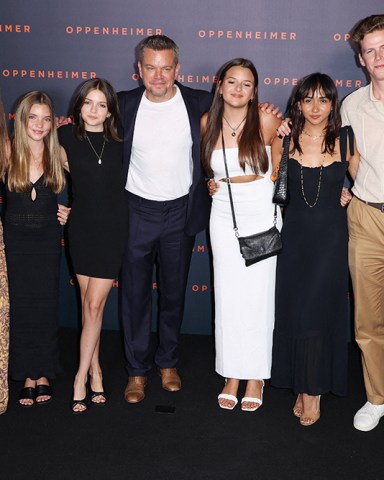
93 155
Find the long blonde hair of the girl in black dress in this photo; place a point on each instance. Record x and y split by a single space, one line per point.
18 170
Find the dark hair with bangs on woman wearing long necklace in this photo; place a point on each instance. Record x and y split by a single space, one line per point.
307 86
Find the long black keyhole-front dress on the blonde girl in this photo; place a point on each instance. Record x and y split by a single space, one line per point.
32 237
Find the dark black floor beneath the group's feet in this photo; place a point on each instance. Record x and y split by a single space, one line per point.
198 441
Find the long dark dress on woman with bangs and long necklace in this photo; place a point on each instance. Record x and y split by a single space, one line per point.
311 325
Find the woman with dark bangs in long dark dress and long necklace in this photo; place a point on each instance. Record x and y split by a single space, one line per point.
310 339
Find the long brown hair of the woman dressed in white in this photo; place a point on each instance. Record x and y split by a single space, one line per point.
251 144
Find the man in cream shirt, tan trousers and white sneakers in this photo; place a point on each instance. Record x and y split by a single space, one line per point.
364 111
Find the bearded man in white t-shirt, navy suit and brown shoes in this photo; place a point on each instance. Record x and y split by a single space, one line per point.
168 204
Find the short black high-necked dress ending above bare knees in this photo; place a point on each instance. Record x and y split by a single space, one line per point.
98 221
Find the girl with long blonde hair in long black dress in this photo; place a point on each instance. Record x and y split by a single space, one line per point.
32 236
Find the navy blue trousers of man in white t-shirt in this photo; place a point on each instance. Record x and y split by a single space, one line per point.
155 236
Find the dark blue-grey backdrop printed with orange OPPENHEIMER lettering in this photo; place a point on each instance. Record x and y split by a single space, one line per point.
54 45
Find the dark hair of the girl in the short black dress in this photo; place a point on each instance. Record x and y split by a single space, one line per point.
110 123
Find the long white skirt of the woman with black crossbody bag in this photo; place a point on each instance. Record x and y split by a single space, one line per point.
244 296
